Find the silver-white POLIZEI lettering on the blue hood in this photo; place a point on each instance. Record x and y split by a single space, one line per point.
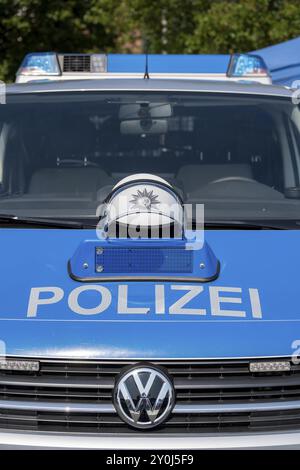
172 300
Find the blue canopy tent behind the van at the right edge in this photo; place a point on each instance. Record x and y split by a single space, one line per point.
283 61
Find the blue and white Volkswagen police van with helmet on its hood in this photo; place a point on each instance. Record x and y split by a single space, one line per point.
149 242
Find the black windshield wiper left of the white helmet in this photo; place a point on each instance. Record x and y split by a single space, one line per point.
42 222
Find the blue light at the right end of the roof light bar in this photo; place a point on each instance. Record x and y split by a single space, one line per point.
247 66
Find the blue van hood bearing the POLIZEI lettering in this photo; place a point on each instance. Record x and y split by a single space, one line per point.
251 310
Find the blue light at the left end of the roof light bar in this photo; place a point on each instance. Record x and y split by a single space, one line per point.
40 63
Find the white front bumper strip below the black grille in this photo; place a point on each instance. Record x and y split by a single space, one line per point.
37 440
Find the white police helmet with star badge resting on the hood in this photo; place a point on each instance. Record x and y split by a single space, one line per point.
143 206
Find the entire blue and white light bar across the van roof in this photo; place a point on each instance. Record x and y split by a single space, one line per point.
43 65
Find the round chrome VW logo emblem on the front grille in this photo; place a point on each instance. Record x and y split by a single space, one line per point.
144 397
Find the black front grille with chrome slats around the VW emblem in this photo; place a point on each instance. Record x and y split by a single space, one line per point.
211 396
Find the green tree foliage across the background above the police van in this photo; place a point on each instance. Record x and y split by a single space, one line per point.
172 26
